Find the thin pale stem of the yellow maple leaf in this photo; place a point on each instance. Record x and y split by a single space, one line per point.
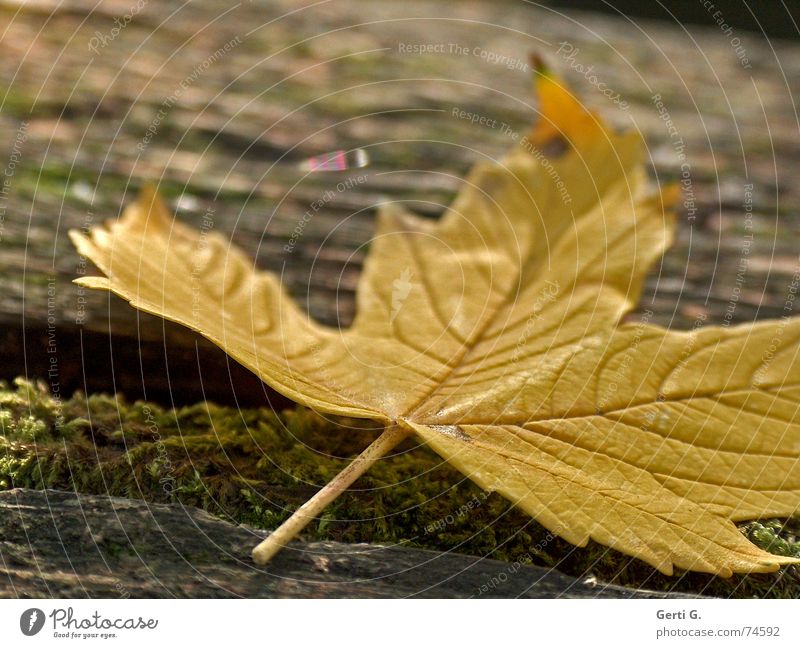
278 539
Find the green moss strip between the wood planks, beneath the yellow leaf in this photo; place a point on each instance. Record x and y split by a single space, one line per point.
256 467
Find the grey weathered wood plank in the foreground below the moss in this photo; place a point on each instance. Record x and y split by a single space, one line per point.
110 547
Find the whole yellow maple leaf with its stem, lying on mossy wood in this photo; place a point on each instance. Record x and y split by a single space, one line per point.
495 336
